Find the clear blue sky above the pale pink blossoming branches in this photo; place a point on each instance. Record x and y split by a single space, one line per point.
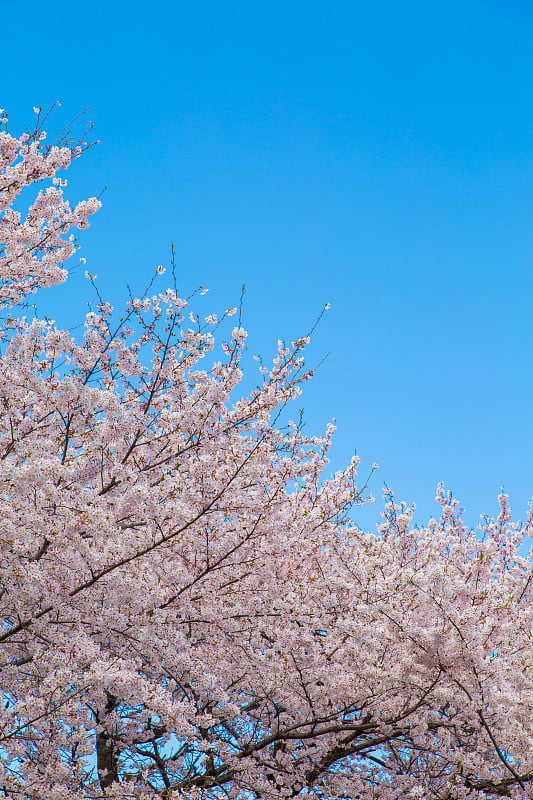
376 155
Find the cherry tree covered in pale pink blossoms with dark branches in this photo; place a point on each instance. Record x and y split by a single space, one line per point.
188 607
